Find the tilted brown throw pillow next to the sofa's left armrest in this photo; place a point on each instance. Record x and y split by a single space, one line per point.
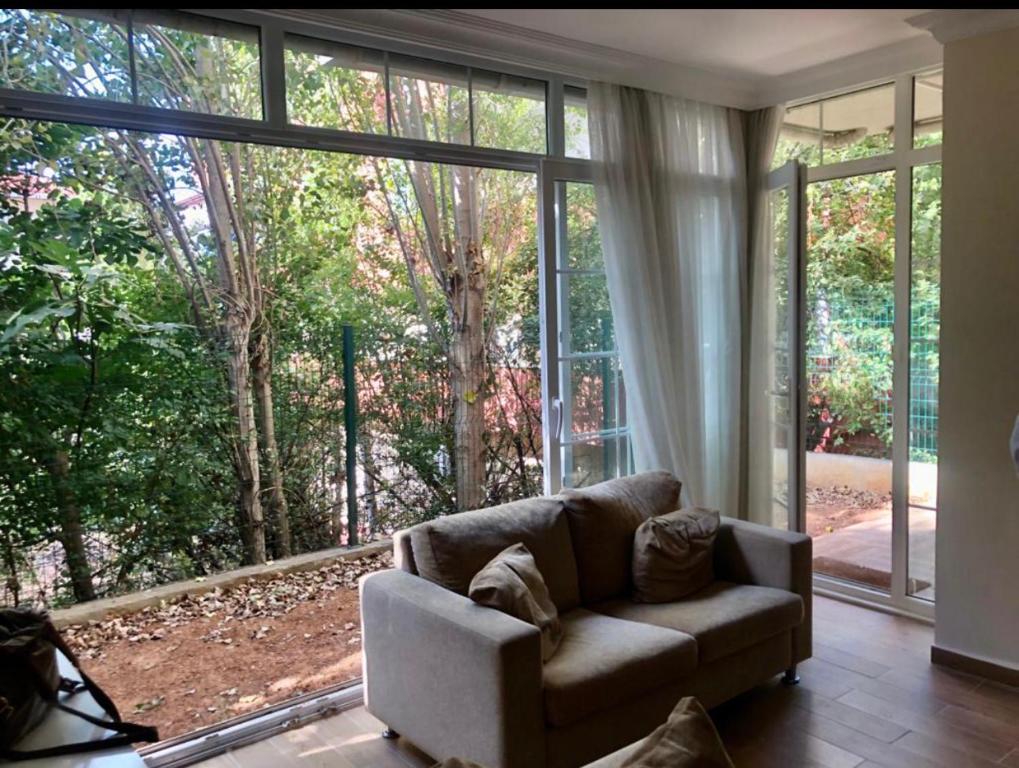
512 583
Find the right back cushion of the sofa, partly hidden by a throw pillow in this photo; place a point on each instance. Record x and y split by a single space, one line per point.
603 521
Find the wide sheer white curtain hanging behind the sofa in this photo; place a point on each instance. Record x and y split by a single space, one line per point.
670 183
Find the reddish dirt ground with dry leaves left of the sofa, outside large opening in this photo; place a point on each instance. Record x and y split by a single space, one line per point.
199 662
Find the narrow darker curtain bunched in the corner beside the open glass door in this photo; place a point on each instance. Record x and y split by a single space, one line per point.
767 471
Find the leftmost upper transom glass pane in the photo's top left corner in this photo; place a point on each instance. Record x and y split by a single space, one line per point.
60 53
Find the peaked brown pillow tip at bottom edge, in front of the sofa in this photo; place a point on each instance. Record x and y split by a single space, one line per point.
688 740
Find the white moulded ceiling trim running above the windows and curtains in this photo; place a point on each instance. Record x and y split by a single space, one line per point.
464 34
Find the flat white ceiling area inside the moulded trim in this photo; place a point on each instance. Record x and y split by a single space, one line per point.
755 43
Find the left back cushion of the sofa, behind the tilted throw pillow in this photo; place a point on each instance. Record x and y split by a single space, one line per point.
451 551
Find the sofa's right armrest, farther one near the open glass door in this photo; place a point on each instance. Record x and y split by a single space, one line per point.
749 554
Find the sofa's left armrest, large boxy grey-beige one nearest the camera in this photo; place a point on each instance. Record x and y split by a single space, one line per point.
457 679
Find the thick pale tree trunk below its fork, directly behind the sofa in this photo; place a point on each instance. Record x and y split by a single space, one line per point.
467 375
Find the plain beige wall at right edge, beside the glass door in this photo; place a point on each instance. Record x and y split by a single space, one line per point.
978 611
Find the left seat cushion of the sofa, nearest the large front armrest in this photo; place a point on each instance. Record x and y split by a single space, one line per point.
604 662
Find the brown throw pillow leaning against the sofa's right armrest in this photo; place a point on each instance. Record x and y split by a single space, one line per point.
673 556
